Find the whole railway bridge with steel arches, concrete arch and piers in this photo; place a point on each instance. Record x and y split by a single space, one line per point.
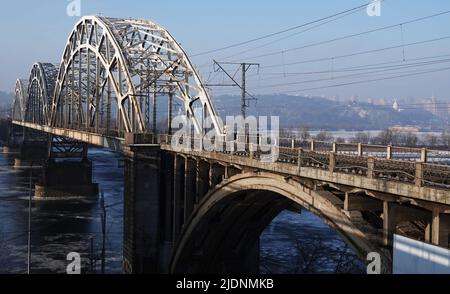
192 209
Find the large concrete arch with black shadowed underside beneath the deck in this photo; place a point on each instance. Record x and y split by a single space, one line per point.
225 226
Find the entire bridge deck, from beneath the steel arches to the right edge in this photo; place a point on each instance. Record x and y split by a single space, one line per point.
406 172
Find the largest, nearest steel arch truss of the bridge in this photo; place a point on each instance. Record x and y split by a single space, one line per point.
111 67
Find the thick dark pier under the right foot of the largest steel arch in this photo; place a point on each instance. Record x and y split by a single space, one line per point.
142 210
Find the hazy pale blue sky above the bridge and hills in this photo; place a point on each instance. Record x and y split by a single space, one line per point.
37 31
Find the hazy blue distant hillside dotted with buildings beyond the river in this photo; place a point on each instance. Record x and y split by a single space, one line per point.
321 113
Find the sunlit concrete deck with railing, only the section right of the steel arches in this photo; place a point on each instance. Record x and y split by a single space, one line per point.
417 180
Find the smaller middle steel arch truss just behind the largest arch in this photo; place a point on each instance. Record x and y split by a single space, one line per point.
40 89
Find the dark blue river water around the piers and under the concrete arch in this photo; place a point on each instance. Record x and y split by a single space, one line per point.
292 243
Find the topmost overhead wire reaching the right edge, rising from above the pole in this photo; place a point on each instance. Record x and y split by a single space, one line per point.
347 36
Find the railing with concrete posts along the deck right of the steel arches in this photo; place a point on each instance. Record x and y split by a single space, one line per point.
373 161
